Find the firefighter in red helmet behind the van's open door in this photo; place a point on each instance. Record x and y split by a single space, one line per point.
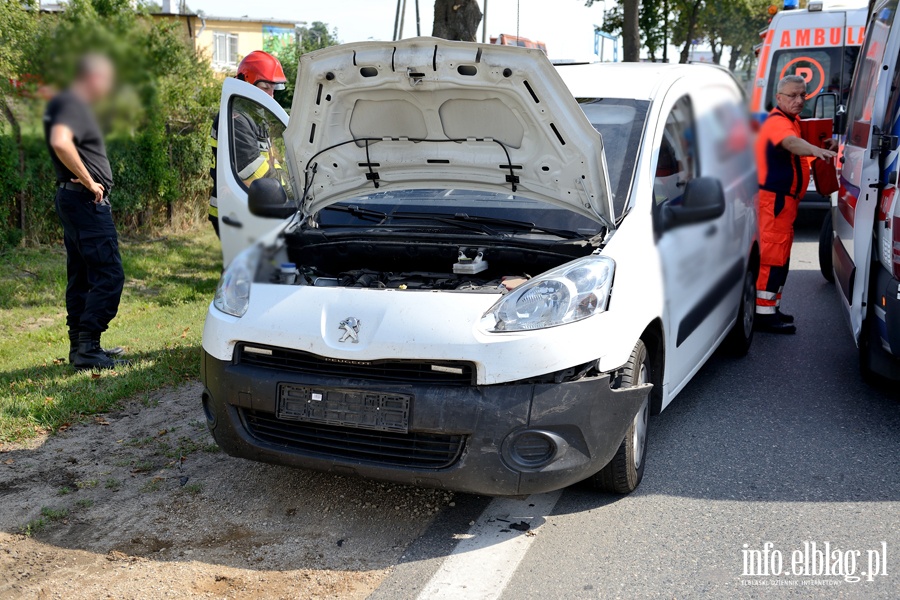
252 149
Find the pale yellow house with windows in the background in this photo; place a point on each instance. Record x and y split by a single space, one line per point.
226 40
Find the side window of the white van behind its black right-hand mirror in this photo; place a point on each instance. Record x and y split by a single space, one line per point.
676 161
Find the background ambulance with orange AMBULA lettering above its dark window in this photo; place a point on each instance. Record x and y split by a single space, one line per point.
820 43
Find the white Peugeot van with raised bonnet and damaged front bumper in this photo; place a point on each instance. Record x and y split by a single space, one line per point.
483 275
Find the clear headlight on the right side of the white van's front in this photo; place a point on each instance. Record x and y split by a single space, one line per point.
570 293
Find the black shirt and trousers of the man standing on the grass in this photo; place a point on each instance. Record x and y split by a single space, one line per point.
93 264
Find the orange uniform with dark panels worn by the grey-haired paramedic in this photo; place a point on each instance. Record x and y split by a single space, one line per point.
783 179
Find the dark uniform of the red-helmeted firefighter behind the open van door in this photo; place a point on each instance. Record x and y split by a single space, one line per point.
251 150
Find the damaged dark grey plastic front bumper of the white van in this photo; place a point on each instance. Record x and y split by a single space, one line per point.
500 440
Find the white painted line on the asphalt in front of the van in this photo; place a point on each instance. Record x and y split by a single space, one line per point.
482 564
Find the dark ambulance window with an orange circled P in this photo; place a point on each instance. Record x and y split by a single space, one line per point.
824 69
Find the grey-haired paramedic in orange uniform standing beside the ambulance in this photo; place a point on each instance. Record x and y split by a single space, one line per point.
783 163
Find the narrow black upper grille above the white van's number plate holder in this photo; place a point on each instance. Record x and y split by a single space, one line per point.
397 371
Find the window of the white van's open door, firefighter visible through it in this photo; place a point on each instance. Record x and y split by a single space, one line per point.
256 144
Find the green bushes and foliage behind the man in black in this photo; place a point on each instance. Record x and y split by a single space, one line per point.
158 120
